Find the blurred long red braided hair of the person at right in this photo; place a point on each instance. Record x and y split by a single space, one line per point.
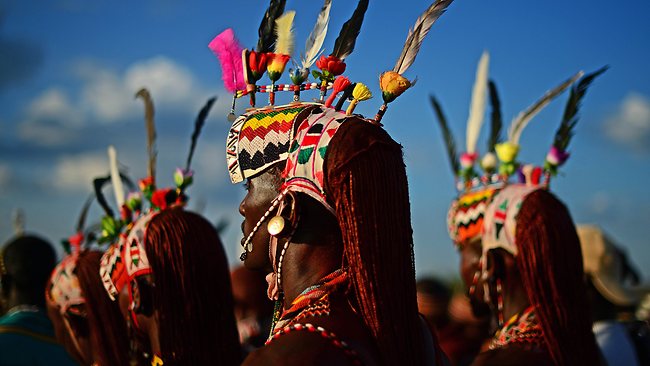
550 266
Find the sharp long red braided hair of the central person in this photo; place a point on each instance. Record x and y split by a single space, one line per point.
367 185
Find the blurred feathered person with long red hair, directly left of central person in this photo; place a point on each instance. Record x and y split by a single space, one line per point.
176 296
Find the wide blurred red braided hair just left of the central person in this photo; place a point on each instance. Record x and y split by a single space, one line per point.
192 295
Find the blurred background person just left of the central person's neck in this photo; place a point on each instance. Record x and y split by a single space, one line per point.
253 309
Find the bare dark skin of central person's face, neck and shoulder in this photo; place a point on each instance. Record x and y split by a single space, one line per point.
315 251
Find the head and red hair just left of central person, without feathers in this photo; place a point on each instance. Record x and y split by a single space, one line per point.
181 298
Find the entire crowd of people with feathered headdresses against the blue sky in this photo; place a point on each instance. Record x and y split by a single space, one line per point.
328 275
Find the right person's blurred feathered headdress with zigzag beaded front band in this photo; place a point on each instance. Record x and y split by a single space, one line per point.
465 216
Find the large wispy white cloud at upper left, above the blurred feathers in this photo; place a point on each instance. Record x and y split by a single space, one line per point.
105 96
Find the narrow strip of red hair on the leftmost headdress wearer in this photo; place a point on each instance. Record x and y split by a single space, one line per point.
108 335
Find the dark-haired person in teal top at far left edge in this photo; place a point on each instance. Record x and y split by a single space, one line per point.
26 334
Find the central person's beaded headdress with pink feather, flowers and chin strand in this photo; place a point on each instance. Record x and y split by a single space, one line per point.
310 138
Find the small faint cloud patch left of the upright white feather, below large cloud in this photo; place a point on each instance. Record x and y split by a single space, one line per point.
75 172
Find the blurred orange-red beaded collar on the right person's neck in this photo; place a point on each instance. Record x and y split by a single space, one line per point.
521 328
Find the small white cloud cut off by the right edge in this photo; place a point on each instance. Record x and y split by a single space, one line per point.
630 125
